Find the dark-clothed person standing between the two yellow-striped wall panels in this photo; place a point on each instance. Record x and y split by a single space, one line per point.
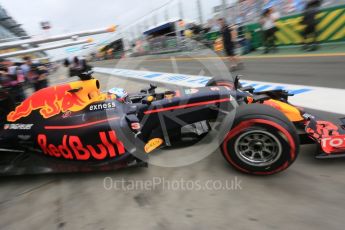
310 23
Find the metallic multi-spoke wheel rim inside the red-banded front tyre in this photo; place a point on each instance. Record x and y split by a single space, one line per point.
258 148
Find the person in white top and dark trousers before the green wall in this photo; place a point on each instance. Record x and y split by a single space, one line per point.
269 28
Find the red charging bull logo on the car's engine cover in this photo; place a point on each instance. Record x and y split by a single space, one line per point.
50 102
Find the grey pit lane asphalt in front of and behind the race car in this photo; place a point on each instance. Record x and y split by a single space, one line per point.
309 195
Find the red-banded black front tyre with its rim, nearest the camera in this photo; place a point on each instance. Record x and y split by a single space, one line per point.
262 141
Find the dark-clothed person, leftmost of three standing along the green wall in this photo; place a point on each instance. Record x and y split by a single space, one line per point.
229 42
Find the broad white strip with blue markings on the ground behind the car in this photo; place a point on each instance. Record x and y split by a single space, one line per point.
319 98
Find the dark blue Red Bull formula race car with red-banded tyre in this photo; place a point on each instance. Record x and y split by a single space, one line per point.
75 127
